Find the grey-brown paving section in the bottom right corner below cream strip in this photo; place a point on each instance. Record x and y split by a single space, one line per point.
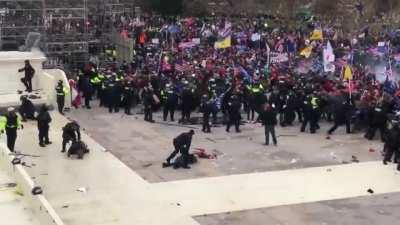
382 209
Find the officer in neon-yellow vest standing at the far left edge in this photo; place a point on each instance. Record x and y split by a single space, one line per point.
10 123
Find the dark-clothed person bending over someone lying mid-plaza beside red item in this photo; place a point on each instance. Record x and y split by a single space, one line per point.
182 145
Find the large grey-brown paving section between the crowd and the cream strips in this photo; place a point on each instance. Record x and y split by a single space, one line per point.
143 147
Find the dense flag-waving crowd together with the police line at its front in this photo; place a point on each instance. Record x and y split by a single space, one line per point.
227 68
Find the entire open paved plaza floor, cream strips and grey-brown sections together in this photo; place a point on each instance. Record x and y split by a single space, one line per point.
306 177
